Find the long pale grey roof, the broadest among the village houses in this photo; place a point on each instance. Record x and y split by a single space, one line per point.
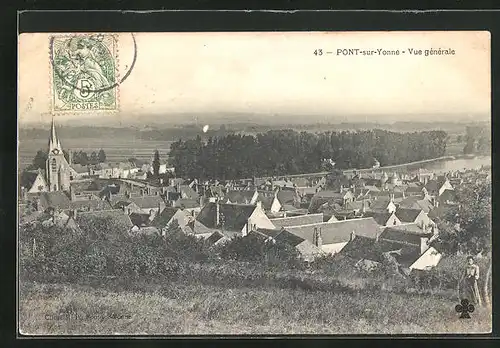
338 231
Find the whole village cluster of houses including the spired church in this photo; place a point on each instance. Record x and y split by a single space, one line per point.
367 216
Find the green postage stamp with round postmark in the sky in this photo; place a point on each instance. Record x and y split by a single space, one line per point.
84 72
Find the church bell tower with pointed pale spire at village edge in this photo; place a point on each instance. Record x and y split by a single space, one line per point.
57 168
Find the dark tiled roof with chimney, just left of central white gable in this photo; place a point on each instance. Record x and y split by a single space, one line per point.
235 216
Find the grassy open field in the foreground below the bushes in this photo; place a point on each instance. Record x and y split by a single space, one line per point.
183 308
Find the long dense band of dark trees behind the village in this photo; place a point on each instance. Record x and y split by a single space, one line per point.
286 152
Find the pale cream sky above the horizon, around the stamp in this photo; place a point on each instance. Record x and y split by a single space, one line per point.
278 76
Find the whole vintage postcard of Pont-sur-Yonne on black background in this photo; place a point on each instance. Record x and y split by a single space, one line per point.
268 183
